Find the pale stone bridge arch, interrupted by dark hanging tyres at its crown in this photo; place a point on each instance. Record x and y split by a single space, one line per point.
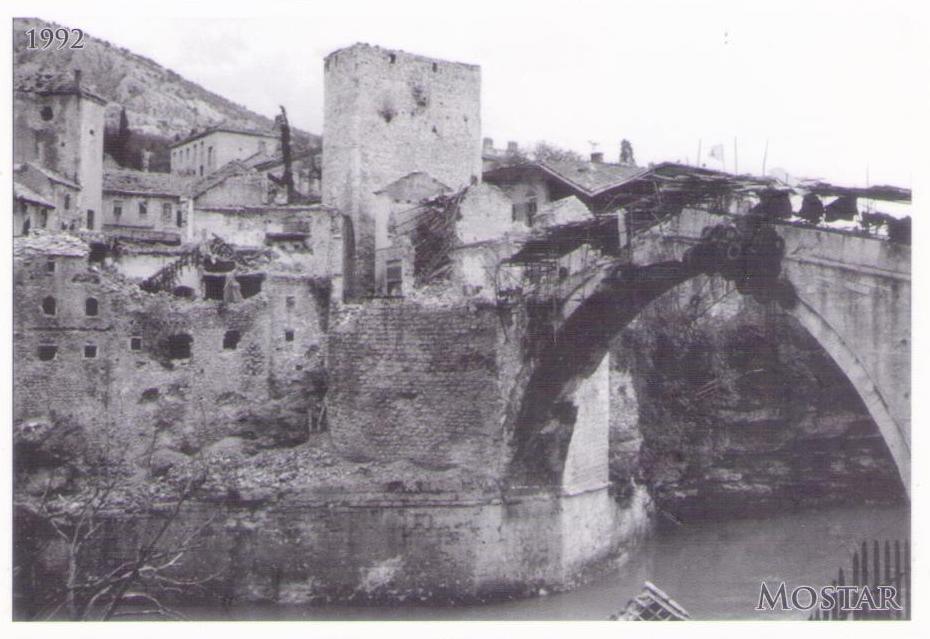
853 297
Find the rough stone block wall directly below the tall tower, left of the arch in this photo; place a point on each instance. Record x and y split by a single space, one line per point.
417 382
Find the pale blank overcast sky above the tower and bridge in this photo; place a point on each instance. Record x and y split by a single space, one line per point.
835 89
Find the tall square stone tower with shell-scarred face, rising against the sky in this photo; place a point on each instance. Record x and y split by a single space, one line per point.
387 114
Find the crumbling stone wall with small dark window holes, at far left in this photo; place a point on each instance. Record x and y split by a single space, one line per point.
250 373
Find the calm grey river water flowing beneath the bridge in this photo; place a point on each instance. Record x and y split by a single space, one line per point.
713 569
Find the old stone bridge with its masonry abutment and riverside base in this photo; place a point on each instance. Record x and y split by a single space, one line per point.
496 416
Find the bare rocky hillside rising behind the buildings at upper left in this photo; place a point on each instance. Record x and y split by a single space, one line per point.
161 106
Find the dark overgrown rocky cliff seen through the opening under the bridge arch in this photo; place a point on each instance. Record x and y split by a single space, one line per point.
725 407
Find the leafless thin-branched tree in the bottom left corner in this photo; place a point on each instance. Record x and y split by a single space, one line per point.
146 576
